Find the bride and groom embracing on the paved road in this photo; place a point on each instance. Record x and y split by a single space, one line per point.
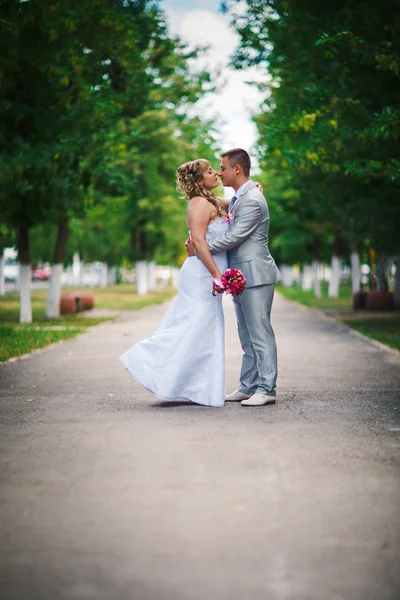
185 357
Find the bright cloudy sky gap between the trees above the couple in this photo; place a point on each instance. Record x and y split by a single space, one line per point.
199 22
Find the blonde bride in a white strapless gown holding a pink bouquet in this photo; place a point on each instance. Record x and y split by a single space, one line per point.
184 358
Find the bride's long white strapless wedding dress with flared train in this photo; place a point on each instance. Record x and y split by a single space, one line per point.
185 357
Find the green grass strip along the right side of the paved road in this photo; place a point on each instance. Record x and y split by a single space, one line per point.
383 329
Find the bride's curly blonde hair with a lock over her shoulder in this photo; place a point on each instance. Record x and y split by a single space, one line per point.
189 182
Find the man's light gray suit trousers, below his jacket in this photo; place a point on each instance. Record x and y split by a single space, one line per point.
259 364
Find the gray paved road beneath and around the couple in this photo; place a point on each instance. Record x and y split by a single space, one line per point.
109 494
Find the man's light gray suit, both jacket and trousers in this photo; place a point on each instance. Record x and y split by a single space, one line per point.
247 244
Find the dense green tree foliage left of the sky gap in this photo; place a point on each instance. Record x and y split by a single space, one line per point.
94 98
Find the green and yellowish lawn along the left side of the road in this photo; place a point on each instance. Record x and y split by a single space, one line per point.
17 339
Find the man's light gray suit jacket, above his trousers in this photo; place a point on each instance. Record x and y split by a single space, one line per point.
247 239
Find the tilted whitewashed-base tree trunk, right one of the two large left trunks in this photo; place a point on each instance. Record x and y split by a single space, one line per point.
54 292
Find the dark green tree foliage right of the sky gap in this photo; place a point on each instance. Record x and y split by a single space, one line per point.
329 126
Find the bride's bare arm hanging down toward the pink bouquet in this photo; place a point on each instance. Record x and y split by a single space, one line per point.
199 213
